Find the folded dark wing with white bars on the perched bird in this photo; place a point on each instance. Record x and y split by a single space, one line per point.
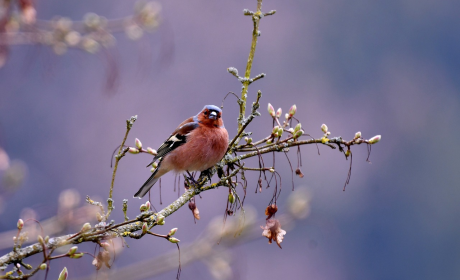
177 138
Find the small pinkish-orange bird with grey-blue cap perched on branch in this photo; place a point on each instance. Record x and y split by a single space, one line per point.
197 144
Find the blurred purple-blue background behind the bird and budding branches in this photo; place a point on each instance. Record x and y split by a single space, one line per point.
379 67
